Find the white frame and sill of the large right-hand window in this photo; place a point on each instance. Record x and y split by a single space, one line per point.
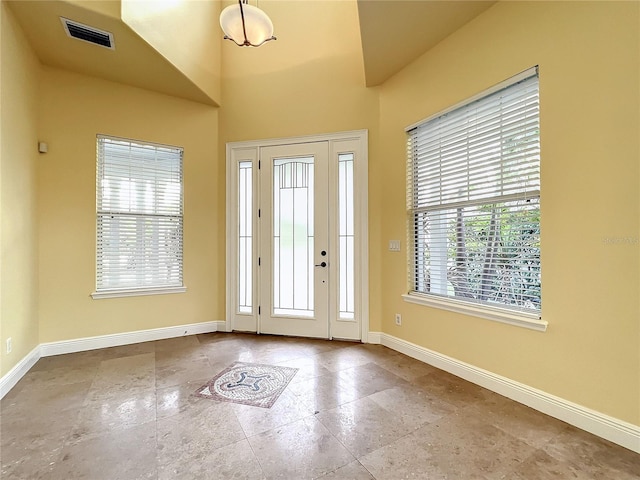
502 313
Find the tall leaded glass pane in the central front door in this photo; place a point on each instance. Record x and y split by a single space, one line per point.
293 242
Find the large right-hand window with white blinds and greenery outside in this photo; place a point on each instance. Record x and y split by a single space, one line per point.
474 202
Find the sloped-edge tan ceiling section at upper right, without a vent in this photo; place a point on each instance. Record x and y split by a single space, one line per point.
396 32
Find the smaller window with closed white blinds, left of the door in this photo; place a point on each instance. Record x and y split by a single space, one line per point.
139 218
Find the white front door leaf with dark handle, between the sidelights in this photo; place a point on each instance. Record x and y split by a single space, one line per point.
294 231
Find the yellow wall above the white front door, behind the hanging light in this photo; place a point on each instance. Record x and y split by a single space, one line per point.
290 87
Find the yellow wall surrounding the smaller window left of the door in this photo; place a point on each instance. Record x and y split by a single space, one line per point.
74 109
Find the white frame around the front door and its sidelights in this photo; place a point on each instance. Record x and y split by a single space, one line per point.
249 151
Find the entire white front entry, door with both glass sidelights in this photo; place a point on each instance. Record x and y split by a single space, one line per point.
297 236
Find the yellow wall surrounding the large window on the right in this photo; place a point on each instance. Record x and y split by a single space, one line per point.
589 55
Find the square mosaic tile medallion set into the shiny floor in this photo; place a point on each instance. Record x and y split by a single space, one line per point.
248 383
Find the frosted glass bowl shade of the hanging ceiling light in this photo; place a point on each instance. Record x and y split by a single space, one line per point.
257 25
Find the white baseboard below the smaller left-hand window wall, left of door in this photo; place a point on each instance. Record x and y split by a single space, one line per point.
127 338
